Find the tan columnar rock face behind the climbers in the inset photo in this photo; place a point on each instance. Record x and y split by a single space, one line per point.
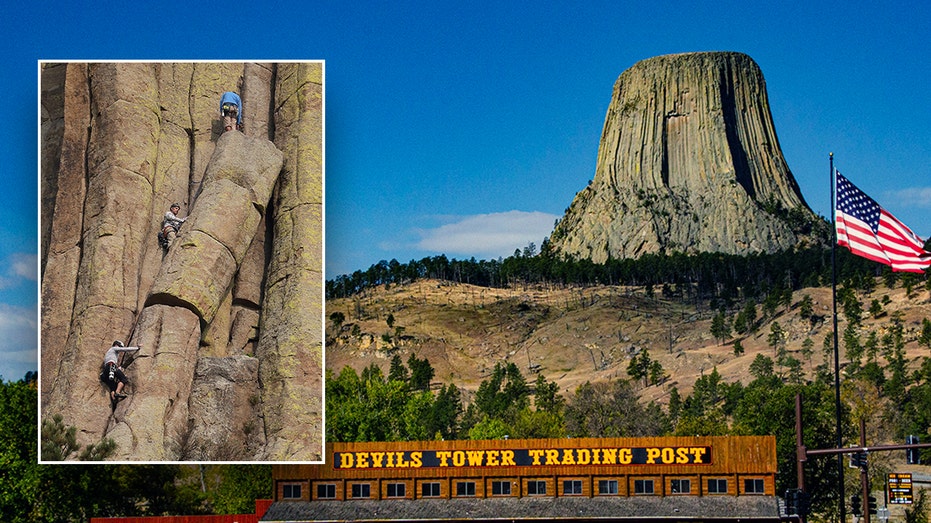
230 319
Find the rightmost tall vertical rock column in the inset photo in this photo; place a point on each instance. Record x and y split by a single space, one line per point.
290 346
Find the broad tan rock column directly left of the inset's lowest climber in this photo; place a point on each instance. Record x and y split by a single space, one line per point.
120 163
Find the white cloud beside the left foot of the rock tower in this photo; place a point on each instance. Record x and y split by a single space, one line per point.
488 235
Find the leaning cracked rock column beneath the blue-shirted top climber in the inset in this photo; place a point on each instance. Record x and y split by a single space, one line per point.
193 282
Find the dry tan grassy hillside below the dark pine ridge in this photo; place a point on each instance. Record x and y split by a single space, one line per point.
574 334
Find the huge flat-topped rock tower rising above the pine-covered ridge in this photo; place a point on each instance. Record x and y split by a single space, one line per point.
688 162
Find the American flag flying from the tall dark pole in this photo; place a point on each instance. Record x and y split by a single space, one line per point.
870 231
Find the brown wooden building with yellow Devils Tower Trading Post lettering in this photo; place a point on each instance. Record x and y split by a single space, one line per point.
687 478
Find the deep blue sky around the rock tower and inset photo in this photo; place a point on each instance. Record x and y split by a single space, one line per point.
466 128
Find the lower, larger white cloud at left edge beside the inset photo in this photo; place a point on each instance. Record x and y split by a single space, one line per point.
19 342
